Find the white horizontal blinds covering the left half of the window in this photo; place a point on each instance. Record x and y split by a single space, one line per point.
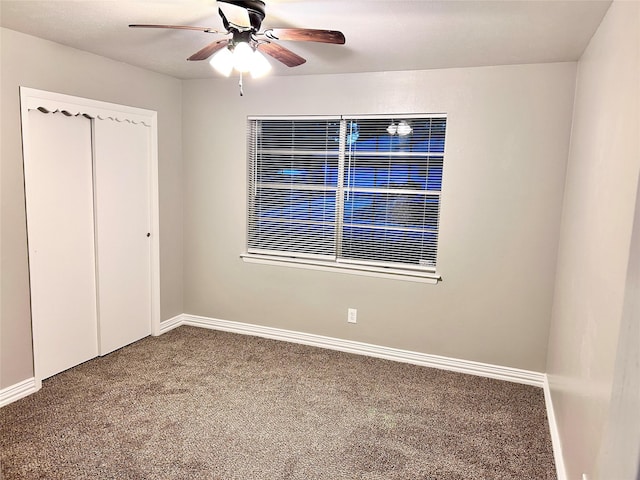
293 181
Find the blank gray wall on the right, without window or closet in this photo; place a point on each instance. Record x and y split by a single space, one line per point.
593 259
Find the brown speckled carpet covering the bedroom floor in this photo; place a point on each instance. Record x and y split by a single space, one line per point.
201 404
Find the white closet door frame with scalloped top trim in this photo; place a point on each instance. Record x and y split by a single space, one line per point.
32 99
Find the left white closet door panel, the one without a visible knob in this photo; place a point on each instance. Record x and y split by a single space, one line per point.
59 200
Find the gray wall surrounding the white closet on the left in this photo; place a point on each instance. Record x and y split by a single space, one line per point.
32 62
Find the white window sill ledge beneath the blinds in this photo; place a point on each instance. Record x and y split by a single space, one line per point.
370 271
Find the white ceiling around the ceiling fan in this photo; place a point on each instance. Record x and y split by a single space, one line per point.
382 35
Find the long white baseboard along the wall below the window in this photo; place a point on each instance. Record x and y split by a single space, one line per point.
423 359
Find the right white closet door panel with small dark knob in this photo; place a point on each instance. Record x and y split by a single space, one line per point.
122 163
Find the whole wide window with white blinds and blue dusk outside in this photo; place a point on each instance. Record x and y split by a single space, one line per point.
354 193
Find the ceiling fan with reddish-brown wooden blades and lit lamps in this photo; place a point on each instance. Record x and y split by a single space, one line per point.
242 20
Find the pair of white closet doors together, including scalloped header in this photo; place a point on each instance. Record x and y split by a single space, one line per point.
90 185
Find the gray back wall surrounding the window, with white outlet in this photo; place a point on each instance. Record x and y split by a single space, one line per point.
507 145
